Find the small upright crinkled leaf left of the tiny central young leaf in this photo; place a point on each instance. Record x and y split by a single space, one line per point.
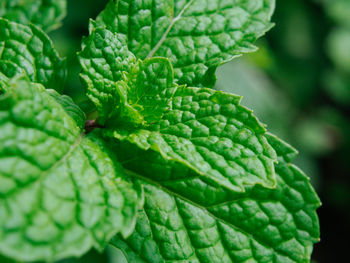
104 59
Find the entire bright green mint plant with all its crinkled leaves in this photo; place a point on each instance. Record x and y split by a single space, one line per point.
171 170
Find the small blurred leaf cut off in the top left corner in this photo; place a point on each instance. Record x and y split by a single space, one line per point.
46 14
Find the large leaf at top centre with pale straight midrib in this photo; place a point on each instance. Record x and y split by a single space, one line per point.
196 35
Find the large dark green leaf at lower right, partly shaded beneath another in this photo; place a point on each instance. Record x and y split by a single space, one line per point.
192 219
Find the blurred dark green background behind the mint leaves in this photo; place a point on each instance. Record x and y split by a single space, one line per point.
298 83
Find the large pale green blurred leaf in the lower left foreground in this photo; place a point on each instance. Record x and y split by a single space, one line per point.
61 192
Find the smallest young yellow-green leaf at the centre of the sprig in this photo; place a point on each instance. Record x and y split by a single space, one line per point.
146 91
